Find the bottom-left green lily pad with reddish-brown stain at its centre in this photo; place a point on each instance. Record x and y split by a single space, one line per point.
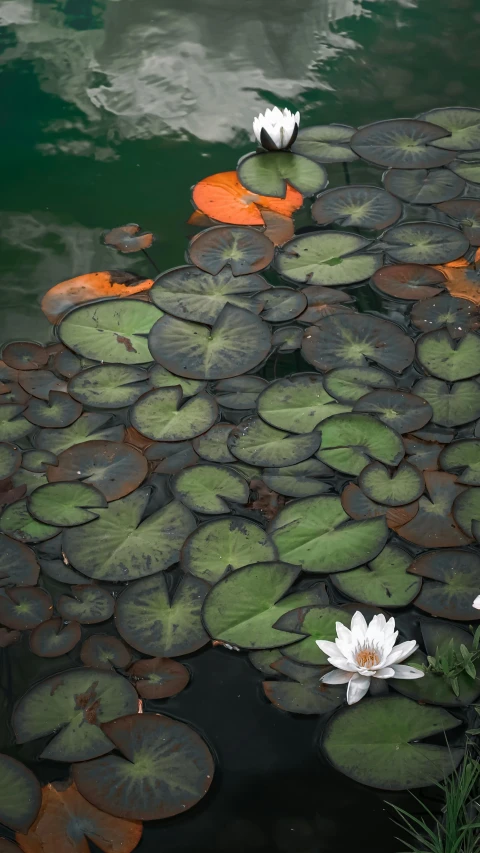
64 704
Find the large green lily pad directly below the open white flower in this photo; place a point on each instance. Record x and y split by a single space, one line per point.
377 743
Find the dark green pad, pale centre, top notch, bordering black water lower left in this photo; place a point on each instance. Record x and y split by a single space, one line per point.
154 622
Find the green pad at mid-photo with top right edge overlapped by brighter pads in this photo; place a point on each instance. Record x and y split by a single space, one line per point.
257 443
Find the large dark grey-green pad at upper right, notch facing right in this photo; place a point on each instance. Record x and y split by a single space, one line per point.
401 143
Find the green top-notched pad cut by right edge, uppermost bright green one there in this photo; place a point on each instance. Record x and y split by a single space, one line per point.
452 405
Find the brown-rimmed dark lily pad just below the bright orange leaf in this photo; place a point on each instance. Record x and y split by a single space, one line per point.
245 250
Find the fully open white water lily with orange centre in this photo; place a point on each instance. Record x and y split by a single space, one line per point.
363 651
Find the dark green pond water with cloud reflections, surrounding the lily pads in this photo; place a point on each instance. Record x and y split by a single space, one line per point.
111 110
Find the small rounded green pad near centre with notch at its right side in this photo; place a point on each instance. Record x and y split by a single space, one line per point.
210 488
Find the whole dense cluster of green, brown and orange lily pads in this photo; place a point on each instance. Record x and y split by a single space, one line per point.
171 478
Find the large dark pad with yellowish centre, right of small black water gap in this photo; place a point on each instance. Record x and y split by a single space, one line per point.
355 340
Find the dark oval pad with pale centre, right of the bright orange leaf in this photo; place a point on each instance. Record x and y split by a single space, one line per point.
357 206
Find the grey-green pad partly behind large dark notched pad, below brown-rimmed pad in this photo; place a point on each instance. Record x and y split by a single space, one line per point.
192 294
